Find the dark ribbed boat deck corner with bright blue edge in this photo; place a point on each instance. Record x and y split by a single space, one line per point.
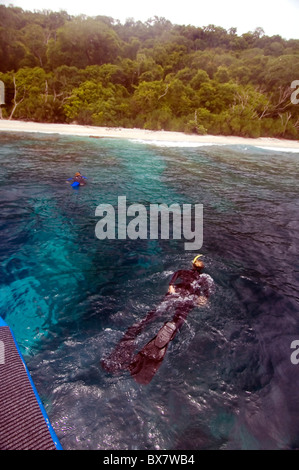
24 424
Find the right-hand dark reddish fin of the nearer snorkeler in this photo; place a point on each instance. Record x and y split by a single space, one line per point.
146 363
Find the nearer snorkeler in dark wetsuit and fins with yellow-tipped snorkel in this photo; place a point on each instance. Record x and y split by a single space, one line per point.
187 289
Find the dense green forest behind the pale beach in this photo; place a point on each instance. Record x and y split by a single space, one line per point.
152 75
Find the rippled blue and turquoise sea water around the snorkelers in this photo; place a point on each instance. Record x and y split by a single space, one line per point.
227 381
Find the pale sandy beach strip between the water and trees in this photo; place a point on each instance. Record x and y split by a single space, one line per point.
144 135
